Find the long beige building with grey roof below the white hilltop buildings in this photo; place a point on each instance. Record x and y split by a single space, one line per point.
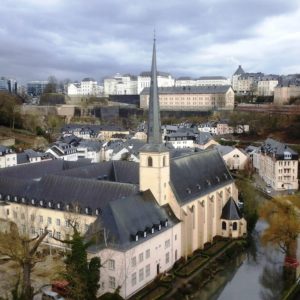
199 98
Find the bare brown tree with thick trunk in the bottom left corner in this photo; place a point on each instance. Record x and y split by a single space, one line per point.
20 248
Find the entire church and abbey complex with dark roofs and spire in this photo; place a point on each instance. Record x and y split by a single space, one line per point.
147 215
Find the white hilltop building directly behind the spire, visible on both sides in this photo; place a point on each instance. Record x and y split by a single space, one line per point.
163 80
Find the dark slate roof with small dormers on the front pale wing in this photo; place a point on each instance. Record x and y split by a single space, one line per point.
126 217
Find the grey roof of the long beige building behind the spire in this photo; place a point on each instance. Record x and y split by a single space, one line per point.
210 89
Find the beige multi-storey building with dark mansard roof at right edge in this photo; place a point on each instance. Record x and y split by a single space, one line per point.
277 165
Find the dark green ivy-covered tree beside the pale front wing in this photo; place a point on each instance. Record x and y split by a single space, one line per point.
83 276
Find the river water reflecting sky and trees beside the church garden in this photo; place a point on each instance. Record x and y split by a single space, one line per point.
256 274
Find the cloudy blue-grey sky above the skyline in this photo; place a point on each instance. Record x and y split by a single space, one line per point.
75 39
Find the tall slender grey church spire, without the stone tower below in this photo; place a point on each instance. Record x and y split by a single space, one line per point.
154 125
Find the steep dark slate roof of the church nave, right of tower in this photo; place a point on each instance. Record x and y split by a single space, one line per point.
198 174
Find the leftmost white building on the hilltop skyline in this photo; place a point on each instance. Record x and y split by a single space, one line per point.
87 87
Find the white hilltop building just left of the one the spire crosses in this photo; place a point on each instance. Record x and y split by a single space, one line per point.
120 85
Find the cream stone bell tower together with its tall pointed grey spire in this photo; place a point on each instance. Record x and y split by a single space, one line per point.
154 156
